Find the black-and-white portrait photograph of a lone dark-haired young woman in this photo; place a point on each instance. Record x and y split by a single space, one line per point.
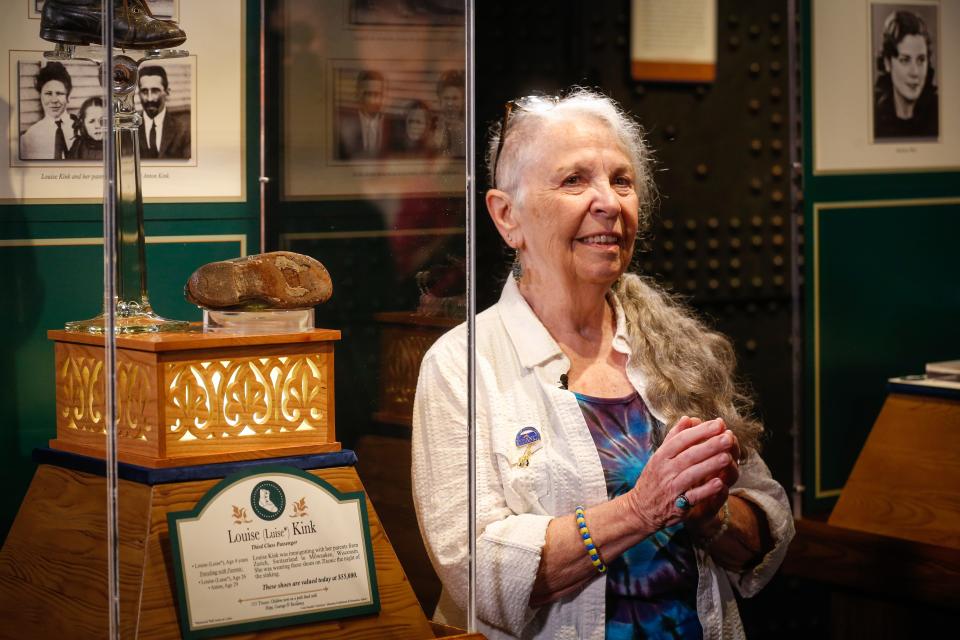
906 103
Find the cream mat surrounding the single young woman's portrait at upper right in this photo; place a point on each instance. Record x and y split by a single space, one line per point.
842 84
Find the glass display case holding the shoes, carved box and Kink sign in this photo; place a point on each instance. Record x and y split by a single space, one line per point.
183 430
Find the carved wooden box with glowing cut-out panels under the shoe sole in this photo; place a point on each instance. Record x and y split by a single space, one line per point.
198 398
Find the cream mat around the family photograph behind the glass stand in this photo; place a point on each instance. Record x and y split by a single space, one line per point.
216 172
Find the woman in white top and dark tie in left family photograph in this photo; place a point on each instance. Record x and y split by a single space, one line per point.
51 137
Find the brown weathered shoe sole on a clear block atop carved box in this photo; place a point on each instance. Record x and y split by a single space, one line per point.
276 280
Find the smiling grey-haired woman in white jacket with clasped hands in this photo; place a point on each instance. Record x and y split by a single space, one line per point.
621 493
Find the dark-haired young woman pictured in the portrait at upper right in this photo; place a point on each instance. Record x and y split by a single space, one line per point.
905 96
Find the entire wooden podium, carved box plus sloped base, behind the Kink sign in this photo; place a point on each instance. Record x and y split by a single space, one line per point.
192 409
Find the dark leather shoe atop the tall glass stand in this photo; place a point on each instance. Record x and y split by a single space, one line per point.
134 27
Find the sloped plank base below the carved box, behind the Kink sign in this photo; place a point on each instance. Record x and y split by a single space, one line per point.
53 567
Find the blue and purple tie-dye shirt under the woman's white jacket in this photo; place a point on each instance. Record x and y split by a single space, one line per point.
652 587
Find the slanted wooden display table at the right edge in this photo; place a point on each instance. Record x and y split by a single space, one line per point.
889 555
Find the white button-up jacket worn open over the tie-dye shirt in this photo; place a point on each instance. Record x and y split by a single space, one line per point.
518 369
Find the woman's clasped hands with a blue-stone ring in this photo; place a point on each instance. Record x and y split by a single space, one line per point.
697 459
